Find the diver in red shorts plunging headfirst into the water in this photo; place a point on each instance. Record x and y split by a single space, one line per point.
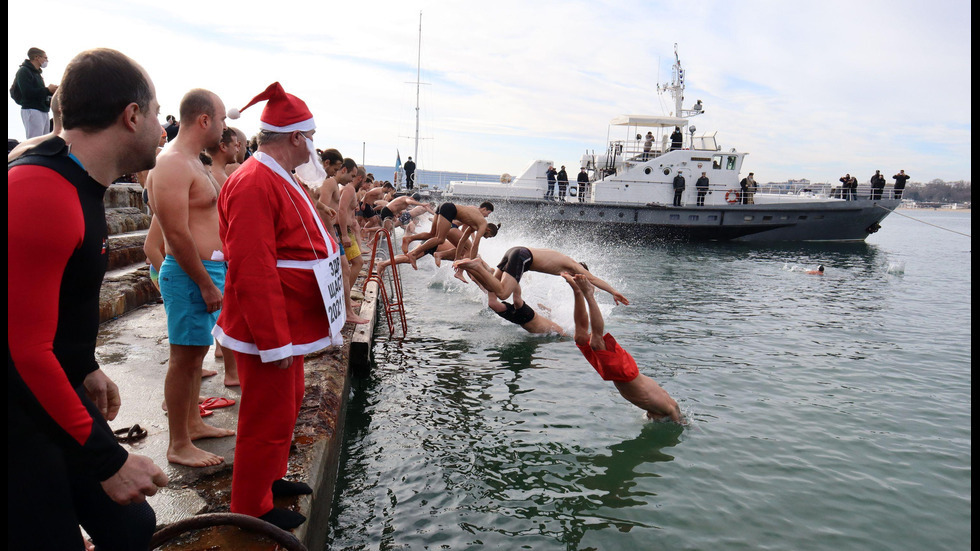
610 360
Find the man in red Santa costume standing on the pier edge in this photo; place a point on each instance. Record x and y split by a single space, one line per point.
281 298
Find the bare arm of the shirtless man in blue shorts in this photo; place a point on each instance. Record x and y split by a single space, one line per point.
170 184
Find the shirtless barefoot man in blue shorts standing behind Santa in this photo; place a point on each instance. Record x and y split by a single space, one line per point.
184 196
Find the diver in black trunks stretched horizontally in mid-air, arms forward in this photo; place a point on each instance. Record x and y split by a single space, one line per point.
505 280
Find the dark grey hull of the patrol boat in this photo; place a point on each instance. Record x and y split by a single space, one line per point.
837 221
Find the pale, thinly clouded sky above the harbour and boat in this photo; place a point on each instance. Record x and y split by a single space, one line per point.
810 90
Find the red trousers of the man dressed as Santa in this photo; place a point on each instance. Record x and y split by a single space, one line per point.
270 402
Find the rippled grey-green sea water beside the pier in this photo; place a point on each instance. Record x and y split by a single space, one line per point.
824 412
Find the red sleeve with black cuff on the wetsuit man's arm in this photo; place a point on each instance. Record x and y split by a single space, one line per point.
36 258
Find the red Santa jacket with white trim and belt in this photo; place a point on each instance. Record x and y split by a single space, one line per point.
273 311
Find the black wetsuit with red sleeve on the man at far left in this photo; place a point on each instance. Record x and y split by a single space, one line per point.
59 447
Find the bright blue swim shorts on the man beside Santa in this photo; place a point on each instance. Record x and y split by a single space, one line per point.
188 321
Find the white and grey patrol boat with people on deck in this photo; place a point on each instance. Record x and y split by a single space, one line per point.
631 187
